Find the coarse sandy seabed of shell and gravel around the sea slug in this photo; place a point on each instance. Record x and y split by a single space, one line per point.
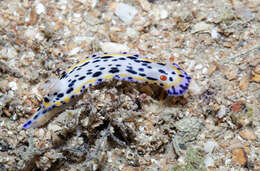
128 126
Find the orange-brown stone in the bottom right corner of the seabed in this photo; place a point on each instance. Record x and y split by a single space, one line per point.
239 155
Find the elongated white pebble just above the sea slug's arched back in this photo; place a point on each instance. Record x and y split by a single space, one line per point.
113 47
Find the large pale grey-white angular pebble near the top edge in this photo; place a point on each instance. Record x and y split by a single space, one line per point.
125 12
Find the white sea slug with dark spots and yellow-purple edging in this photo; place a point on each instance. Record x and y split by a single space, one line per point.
98 68
